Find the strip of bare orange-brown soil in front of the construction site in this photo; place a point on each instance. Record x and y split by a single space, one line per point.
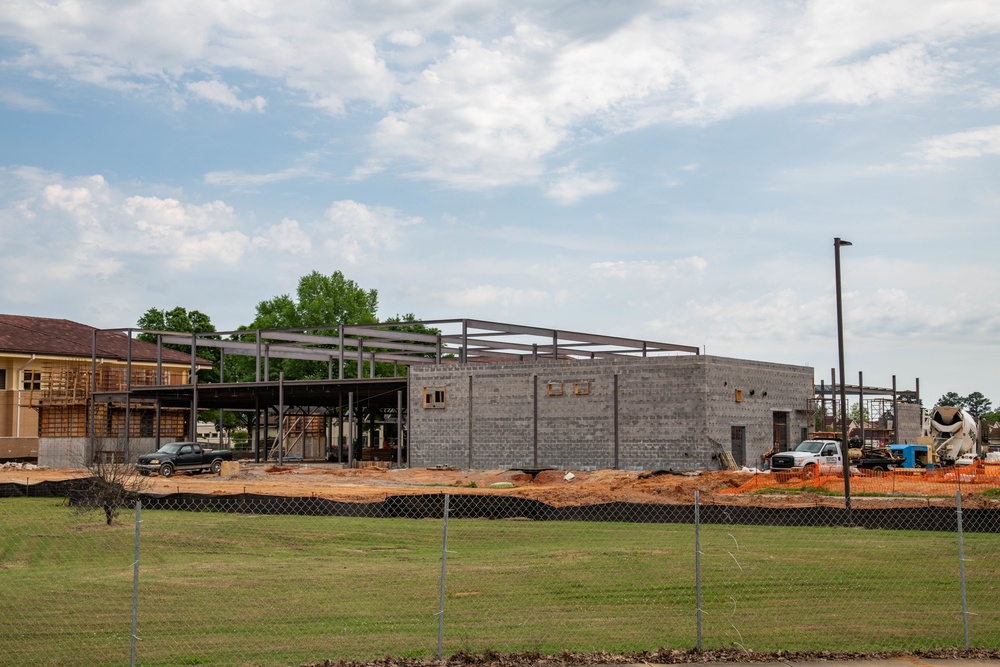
554 487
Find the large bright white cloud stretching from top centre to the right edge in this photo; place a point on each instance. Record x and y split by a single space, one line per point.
490 113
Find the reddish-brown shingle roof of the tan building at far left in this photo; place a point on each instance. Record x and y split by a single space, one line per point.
43 335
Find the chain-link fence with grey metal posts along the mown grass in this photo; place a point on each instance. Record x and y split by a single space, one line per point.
233 580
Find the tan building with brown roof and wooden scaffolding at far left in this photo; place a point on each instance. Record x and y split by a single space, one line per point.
49 370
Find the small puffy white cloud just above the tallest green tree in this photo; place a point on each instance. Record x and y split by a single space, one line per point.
362 231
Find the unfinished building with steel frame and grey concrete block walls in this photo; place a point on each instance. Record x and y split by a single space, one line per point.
463 393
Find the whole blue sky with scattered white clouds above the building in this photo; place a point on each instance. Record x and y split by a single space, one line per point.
674 171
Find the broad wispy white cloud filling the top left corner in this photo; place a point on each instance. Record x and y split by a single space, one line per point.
321 51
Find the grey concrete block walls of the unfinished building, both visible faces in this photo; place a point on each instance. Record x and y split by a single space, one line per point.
668 411
